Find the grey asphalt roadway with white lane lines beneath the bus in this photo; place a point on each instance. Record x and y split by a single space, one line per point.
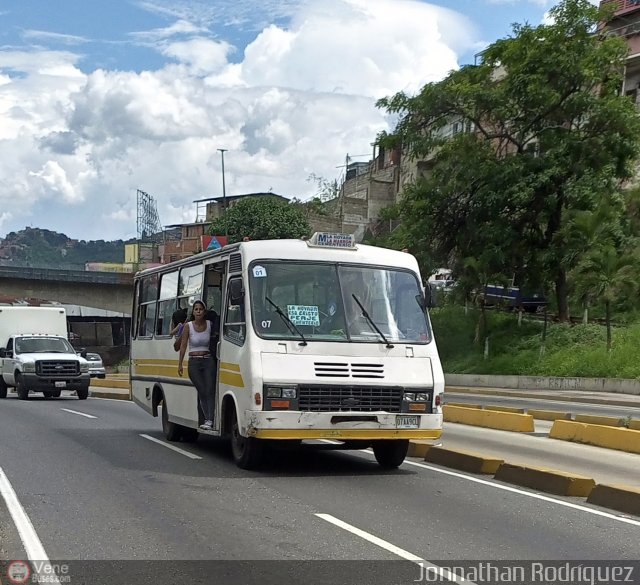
95 489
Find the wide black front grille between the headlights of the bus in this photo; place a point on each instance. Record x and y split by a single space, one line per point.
318 398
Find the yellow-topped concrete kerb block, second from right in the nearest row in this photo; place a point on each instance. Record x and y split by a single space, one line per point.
547 480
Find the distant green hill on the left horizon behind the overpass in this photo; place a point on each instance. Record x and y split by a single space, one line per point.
41 247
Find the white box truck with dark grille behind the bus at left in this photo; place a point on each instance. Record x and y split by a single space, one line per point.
35 355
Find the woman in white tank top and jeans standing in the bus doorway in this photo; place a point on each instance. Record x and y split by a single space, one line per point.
196 336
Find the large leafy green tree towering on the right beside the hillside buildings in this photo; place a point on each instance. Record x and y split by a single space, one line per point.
535 132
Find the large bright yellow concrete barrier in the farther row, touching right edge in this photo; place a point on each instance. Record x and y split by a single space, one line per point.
618 438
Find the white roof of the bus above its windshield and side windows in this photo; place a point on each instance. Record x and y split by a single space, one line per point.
299 250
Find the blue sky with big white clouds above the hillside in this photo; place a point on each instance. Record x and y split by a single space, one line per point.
101 98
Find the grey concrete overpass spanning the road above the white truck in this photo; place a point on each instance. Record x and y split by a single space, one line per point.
103 290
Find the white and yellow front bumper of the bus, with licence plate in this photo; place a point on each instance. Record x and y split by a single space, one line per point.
342 425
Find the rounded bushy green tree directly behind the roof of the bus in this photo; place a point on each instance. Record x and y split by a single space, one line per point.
261 218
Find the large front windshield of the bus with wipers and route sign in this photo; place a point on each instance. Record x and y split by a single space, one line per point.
313 301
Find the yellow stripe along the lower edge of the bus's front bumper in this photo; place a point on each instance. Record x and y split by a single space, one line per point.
364 434
